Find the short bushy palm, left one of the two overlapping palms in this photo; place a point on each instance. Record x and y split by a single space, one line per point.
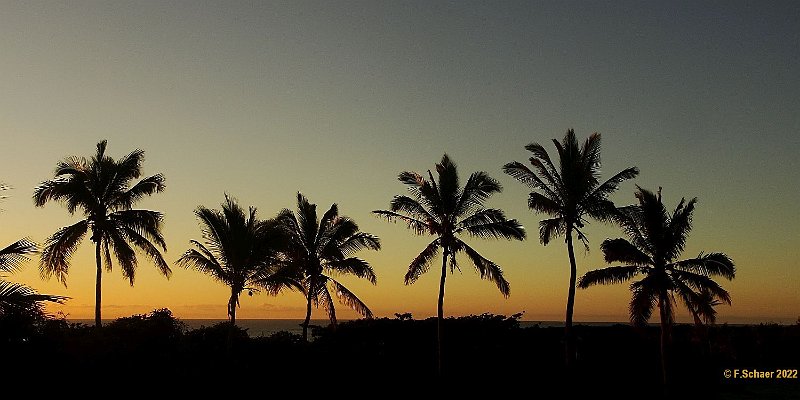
240 251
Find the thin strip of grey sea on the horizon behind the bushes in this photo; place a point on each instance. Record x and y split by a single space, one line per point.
266 327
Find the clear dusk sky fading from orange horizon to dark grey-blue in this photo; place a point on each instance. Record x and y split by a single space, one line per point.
262 99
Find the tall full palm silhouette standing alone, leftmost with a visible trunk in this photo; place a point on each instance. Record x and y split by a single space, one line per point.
103 190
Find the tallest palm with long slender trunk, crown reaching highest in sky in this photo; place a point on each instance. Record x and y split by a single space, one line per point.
568 194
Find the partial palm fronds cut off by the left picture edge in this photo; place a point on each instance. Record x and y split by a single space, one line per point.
14 297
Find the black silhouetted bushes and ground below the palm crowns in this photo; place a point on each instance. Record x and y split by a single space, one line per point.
492 351
